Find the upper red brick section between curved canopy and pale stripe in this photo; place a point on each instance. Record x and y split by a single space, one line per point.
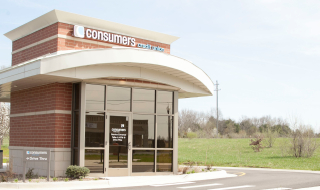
56 96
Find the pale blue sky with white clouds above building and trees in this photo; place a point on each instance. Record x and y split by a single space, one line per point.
265 54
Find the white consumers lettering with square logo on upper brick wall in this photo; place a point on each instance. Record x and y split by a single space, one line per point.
81 32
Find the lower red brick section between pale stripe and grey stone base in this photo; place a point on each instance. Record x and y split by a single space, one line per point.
49 130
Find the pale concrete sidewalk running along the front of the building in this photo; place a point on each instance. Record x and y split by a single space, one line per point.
111 182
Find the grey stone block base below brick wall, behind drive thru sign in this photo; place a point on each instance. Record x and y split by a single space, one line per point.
60 160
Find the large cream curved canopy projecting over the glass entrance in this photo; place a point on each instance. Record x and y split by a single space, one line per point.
163 71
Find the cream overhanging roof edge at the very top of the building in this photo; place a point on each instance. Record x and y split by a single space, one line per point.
72 18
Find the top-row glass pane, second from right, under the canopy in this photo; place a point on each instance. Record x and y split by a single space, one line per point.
143 101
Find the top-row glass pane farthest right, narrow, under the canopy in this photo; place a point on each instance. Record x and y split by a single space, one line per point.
164 102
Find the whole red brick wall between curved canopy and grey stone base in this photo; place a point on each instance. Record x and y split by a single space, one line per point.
47 130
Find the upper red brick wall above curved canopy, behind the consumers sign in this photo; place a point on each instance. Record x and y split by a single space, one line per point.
60 44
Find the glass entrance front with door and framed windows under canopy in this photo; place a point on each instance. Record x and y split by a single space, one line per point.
126 131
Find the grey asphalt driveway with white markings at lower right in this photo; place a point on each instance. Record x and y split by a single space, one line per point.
251 179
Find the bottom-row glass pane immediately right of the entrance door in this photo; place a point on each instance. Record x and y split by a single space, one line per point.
143 161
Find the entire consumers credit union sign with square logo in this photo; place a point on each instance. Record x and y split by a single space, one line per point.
81 32
